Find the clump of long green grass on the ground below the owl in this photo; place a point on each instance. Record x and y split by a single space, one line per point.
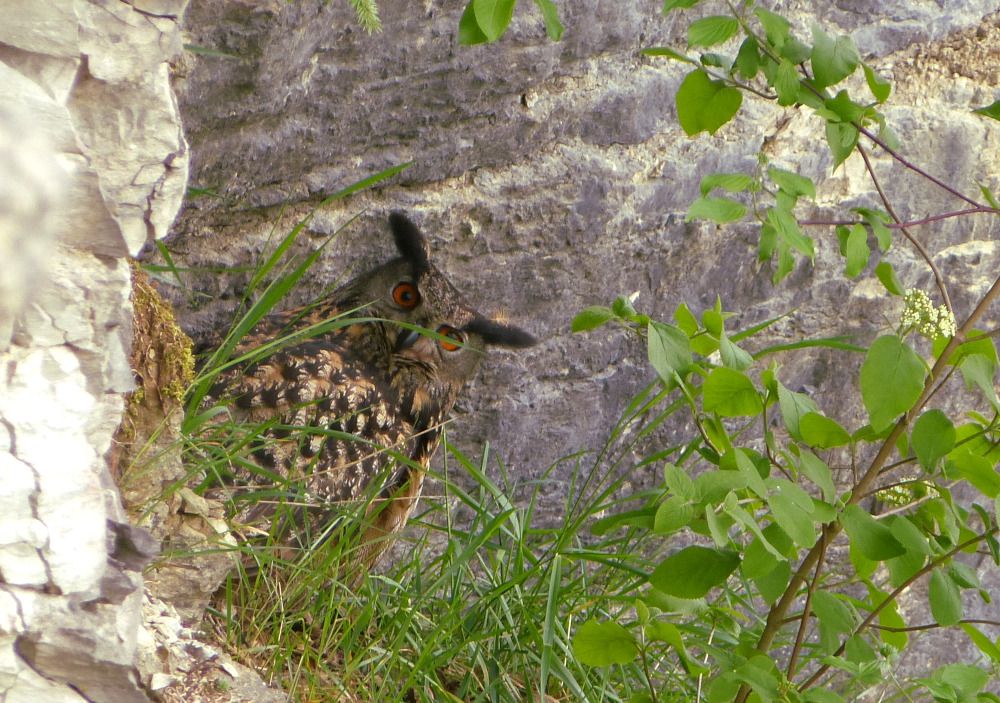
485 617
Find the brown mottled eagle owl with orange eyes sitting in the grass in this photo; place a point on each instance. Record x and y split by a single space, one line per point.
353 415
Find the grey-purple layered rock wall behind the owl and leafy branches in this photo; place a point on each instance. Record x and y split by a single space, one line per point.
552 176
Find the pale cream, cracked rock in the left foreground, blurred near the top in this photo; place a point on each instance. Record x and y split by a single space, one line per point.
93 165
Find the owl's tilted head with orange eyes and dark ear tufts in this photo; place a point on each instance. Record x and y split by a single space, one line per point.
430 332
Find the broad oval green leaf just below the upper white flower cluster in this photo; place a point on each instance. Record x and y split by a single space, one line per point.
892 378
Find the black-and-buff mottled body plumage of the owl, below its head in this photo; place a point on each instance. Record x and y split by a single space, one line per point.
334 418
